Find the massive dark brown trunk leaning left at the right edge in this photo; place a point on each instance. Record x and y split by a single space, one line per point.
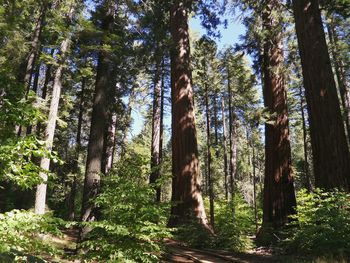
331 157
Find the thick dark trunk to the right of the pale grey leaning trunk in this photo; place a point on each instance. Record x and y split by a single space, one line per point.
99 120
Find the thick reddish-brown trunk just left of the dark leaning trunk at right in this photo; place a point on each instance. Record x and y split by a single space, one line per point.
279 196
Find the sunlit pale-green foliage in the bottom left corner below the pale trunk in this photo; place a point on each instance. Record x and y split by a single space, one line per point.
23 232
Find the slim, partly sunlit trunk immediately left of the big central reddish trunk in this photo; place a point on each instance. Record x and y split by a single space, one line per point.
156 126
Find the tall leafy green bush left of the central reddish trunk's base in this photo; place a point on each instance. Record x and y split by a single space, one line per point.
133 225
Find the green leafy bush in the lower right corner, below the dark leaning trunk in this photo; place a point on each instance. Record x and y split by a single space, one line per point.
322 225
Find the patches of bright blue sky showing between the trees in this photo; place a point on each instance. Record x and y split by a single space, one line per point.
229 36
